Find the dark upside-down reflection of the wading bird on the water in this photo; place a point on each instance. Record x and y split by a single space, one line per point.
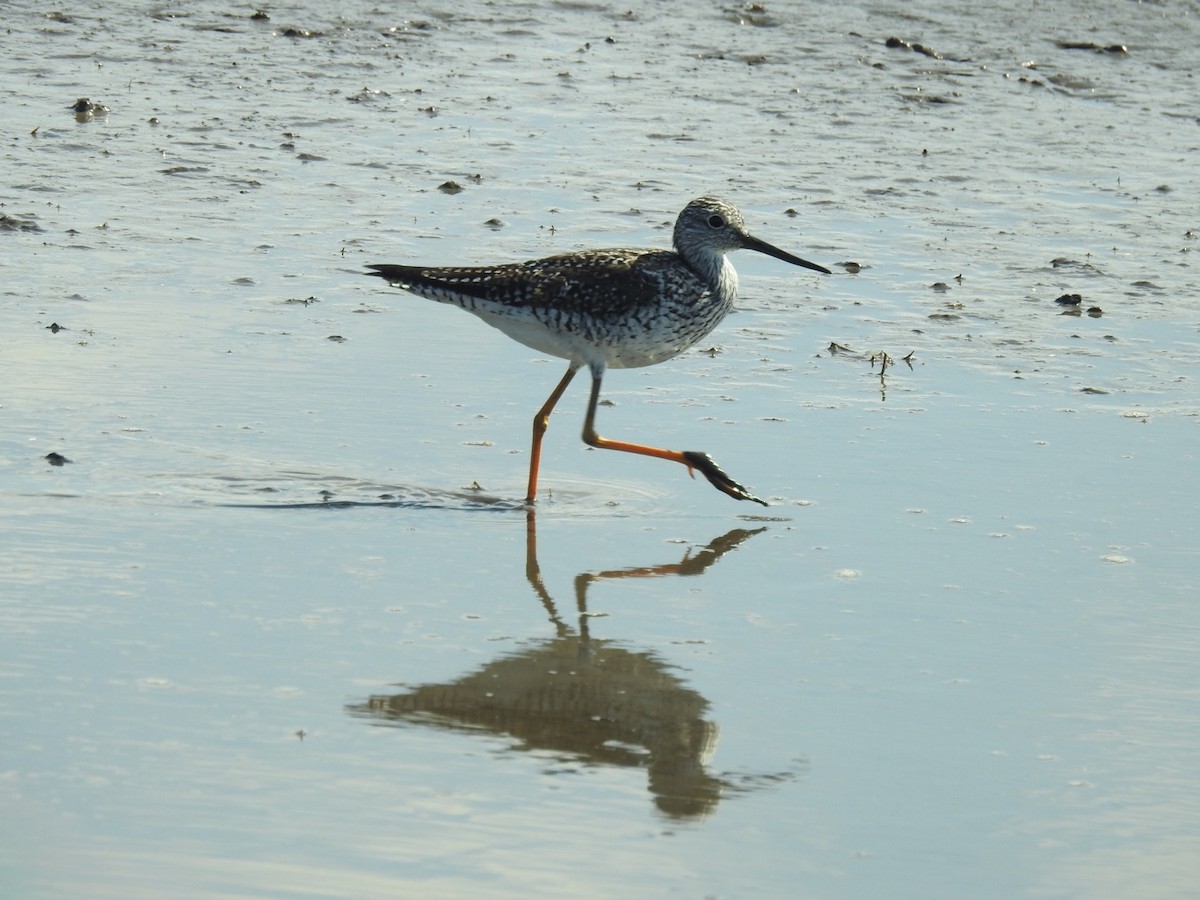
596 700
